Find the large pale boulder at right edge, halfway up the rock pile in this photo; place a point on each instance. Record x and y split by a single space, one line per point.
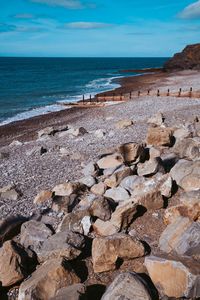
187 174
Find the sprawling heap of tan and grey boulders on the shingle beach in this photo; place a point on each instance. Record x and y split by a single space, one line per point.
99 239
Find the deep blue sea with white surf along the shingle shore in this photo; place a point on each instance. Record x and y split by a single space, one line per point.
34 86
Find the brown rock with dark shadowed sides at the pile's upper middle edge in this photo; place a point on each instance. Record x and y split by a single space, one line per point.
132 152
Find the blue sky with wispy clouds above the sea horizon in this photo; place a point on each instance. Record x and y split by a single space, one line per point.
97 27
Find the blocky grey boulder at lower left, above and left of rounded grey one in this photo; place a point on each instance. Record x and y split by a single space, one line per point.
33 234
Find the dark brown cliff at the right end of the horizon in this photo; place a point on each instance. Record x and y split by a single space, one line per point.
189 58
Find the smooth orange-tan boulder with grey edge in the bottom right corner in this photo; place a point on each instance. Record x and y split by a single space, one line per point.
173 278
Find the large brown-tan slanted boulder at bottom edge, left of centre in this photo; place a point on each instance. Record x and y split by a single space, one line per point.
47 280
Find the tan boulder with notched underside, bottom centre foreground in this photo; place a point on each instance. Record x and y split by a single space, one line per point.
105 251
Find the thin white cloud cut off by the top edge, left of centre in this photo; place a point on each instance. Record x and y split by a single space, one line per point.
71 4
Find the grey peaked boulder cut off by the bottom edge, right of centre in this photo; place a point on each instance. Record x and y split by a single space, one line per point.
127 286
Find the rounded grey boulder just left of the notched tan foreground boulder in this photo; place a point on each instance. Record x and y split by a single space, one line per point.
62 244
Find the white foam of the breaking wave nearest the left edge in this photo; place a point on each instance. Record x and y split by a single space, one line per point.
33 113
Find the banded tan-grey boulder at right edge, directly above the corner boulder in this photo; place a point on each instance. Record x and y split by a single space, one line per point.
181 237
